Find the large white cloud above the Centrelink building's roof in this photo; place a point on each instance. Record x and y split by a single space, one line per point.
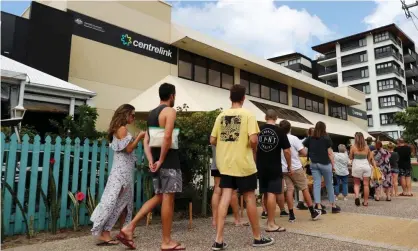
261 27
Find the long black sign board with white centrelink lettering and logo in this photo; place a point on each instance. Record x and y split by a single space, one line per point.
99 31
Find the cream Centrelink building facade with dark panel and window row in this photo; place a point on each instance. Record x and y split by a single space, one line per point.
109 53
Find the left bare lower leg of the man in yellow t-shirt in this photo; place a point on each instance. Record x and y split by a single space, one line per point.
222 211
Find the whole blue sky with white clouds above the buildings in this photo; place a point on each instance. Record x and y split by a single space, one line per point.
268 28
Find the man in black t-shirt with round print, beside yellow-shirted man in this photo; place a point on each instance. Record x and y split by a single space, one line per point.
271 140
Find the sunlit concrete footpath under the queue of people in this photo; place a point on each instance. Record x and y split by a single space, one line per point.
381 226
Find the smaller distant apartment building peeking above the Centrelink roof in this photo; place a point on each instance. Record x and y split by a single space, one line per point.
297 62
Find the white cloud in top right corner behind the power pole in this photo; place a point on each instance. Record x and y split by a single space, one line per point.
387 12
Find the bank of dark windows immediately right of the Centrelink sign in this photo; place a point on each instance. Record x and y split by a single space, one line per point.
204 70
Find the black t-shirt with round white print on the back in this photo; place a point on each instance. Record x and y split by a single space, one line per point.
271 141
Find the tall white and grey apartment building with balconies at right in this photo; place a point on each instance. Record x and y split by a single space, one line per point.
382 63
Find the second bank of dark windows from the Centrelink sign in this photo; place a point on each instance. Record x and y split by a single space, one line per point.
264 88
